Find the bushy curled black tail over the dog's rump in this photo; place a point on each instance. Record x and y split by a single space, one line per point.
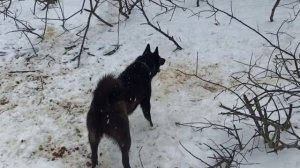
108 91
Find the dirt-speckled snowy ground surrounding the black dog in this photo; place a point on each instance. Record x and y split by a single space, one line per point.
43 112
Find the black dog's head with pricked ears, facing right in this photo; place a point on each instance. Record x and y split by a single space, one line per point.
152 60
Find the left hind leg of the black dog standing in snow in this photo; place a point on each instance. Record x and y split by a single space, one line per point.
94 139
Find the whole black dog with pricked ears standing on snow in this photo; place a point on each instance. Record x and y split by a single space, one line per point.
116 98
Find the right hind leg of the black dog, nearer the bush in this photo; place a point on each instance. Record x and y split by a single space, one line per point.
122 135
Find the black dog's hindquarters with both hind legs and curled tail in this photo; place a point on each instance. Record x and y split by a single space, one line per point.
108 115
